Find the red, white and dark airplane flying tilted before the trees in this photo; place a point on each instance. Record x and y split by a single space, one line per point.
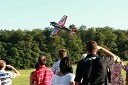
60 26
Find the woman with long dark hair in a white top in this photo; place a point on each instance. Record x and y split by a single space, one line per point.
65 76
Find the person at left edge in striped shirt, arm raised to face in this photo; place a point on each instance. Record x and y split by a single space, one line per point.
6 76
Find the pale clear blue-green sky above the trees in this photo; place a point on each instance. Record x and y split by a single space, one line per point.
32 14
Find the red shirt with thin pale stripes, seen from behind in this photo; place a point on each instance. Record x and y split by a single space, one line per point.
43 76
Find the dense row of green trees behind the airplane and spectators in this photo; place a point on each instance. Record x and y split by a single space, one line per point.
21 48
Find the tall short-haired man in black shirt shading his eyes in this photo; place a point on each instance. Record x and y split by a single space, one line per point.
93 68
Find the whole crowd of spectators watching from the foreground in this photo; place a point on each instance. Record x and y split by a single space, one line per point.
92 69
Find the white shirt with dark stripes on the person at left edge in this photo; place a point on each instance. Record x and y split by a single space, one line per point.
6 77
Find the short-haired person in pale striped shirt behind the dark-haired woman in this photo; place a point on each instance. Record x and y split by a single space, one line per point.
55 67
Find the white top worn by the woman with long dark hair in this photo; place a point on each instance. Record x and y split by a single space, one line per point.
63 80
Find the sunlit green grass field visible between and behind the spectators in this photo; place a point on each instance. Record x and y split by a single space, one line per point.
24 78
